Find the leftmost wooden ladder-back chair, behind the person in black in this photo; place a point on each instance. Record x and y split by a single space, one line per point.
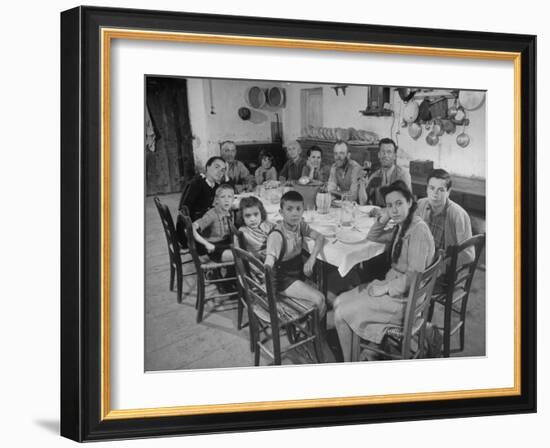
175 251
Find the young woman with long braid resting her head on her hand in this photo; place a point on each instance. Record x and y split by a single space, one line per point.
368 309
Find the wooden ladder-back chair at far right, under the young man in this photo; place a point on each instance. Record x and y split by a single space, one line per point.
453 290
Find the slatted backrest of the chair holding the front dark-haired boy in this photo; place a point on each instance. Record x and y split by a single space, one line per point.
258 282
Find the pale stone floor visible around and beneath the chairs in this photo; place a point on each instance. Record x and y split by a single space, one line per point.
173 339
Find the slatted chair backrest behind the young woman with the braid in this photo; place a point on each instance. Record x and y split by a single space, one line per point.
417 309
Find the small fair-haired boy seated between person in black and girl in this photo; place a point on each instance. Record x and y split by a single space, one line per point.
214 237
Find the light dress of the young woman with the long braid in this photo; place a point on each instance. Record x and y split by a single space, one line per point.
369 316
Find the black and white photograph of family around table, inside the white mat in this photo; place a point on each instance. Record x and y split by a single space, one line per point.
304 223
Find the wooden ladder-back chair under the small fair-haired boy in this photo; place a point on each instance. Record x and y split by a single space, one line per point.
205 269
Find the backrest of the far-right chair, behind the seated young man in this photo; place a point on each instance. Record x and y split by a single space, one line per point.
461 275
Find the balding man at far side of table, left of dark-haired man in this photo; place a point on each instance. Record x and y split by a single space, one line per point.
344 173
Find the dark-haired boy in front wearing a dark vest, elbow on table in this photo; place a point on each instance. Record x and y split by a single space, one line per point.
284 250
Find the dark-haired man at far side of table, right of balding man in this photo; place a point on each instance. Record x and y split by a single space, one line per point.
389 172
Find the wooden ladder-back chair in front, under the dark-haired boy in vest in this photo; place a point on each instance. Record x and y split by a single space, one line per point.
274 315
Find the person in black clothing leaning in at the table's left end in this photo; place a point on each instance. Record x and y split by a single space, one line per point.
199 194
